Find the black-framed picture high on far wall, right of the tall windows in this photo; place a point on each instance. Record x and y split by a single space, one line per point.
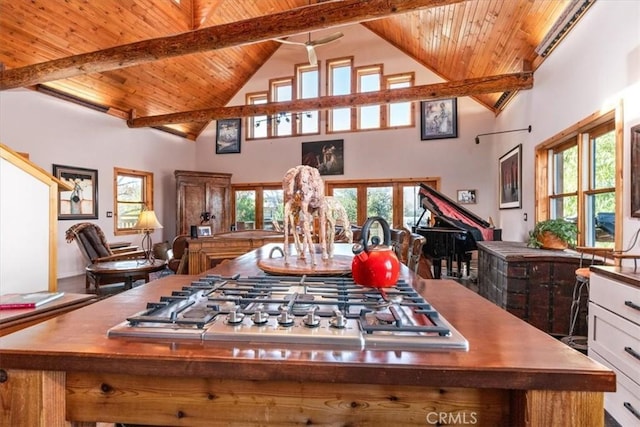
439 119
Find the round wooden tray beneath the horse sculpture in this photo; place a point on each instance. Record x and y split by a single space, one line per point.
338 265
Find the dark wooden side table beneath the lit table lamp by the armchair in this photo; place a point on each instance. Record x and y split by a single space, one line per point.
128 271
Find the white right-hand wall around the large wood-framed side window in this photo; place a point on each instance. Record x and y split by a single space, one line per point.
593 68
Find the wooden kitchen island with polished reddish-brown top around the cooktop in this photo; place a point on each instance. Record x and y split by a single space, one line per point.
513 374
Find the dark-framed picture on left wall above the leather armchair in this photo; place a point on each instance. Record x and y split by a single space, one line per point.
82 201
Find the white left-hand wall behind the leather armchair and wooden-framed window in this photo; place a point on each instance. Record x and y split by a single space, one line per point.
53 131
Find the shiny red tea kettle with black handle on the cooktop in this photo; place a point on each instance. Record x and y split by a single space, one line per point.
375 266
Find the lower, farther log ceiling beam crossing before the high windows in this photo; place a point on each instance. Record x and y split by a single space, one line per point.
468 87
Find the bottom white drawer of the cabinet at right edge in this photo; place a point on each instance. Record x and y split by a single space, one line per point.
624 404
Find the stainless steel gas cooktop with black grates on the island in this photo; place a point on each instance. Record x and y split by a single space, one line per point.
327 312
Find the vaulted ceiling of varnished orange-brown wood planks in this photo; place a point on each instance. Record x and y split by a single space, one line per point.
456 39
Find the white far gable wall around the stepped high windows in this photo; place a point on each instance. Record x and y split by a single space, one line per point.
372 154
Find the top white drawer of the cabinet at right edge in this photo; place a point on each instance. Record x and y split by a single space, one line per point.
622 299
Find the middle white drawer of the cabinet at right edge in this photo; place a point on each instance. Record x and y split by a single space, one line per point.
615 339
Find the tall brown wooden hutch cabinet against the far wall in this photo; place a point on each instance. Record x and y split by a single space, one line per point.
198 192
